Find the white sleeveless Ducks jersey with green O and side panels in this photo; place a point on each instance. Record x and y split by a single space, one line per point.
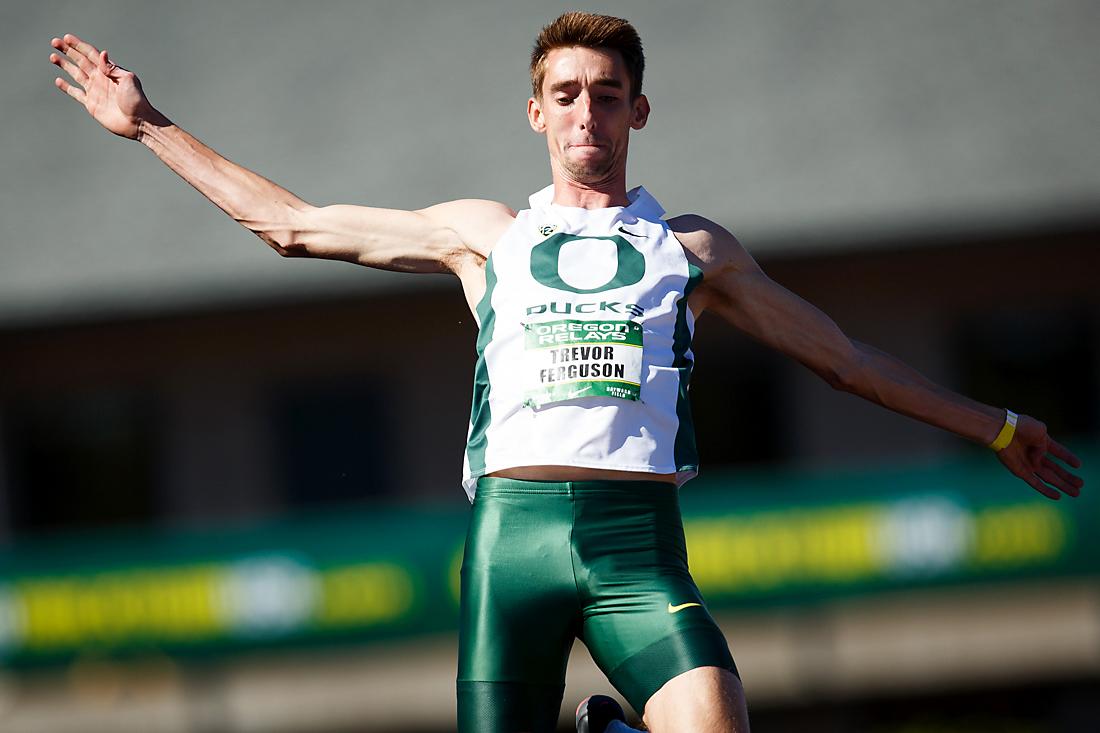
585 349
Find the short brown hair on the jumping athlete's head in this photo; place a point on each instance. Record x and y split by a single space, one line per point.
591 31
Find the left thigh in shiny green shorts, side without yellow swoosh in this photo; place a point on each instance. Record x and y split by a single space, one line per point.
519 615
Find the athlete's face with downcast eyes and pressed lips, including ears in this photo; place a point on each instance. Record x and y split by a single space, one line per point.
587 113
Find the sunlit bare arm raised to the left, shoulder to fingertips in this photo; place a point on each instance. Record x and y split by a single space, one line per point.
443 238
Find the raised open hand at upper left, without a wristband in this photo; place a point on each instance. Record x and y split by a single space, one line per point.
112 95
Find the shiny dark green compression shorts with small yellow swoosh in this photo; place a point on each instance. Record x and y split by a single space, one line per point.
603 562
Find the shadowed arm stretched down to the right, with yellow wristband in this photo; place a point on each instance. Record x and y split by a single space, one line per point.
736 289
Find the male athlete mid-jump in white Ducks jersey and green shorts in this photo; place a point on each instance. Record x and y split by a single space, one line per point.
581 429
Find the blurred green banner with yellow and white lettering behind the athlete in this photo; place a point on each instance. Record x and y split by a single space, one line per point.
756 540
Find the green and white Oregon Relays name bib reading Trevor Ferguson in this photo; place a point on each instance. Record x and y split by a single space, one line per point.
574 359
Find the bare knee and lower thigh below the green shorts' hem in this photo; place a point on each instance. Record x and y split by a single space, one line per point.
703 701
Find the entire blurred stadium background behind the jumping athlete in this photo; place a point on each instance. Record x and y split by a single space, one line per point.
229 490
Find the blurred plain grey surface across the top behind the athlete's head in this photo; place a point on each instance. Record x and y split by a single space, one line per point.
799 126
